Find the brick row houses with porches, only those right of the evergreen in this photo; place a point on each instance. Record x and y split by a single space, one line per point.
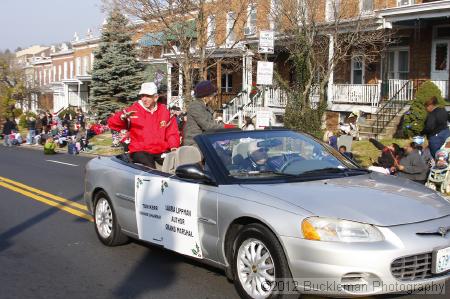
418 51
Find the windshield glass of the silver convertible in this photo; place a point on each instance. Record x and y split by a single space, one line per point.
252 154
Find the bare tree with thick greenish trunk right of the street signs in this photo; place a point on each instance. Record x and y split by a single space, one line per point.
317 44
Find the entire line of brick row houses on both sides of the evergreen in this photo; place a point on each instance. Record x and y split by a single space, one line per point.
418 51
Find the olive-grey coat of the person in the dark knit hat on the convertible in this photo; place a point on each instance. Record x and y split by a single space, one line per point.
199 119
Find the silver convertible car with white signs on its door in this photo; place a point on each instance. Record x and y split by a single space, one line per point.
280 212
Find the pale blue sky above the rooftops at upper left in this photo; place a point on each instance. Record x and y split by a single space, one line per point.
28 22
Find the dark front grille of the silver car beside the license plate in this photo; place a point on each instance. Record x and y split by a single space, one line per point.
413 267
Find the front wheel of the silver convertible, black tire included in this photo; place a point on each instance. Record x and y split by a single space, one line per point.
262 267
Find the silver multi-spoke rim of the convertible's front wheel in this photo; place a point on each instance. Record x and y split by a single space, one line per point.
255 268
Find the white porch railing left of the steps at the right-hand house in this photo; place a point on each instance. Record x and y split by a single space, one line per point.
365 94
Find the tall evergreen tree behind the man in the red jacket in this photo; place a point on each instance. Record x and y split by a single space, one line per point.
116 74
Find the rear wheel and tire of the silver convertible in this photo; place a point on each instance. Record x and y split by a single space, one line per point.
106 225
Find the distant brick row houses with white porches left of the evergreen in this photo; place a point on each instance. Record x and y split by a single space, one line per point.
60 75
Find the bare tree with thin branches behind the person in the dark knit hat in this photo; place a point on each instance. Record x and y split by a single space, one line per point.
190 30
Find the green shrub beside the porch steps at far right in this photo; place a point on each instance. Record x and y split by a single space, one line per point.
415 117
